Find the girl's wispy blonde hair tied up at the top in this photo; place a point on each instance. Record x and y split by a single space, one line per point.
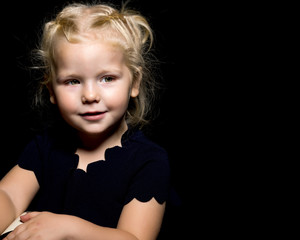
126 28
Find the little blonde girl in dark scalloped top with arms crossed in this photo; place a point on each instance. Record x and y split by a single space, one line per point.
94 174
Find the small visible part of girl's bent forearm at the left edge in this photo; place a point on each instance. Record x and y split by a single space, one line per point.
7 211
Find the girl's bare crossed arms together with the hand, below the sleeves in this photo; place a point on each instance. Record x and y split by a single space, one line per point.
138 220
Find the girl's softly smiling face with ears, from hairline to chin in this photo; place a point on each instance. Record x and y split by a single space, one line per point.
92 87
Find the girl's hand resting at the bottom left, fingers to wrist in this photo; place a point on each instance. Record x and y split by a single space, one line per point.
39 225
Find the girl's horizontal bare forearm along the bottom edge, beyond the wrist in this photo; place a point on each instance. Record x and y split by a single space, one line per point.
79 229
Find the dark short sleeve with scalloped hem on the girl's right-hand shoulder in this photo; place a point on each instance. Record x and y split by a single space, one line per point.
152 179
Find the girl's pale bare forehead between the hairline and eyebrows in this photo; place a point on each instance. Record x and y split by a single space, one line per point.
106 48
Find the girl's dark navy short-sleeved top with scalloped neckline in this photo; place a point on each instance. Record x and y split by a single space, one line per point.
139 169
